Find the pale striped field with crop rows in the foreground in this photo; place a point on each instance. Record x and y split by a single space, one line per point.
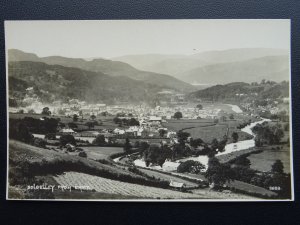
103 185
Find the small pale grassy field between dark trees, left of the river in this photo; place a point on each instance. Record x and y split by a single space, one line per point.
97 153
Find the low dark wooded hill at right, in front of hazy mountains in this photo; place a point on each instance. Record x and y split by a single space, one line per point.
238 91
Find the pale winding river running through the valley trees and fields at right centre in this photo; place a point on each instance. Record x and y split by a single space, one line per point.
232 147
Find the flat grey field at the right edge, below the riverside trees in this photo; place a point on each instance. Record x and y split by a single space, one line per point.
264 160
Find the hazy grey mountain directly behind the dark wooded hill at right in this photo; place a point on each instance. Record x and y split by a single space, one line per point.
275 68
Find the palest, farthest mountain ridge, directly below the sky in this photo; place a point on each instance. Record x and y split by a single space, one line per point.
180 66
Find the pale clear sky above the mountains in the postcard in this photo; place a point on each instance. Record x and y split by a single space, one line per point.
113 38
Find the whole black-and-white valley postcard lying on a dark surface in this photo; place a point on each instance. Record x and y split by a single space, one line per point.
149 110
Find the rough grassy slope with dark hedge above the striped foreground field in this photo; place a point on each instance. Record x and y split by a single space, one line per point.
26 162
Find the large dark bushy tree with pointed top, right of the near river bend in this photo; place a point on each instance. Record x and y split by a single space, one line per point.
218 174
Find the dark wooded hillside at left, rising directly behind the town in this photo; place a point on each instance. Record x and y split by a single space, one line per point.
55 82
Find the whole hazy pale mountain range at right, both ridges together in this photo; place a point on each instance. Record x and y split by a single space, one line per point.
217 67
